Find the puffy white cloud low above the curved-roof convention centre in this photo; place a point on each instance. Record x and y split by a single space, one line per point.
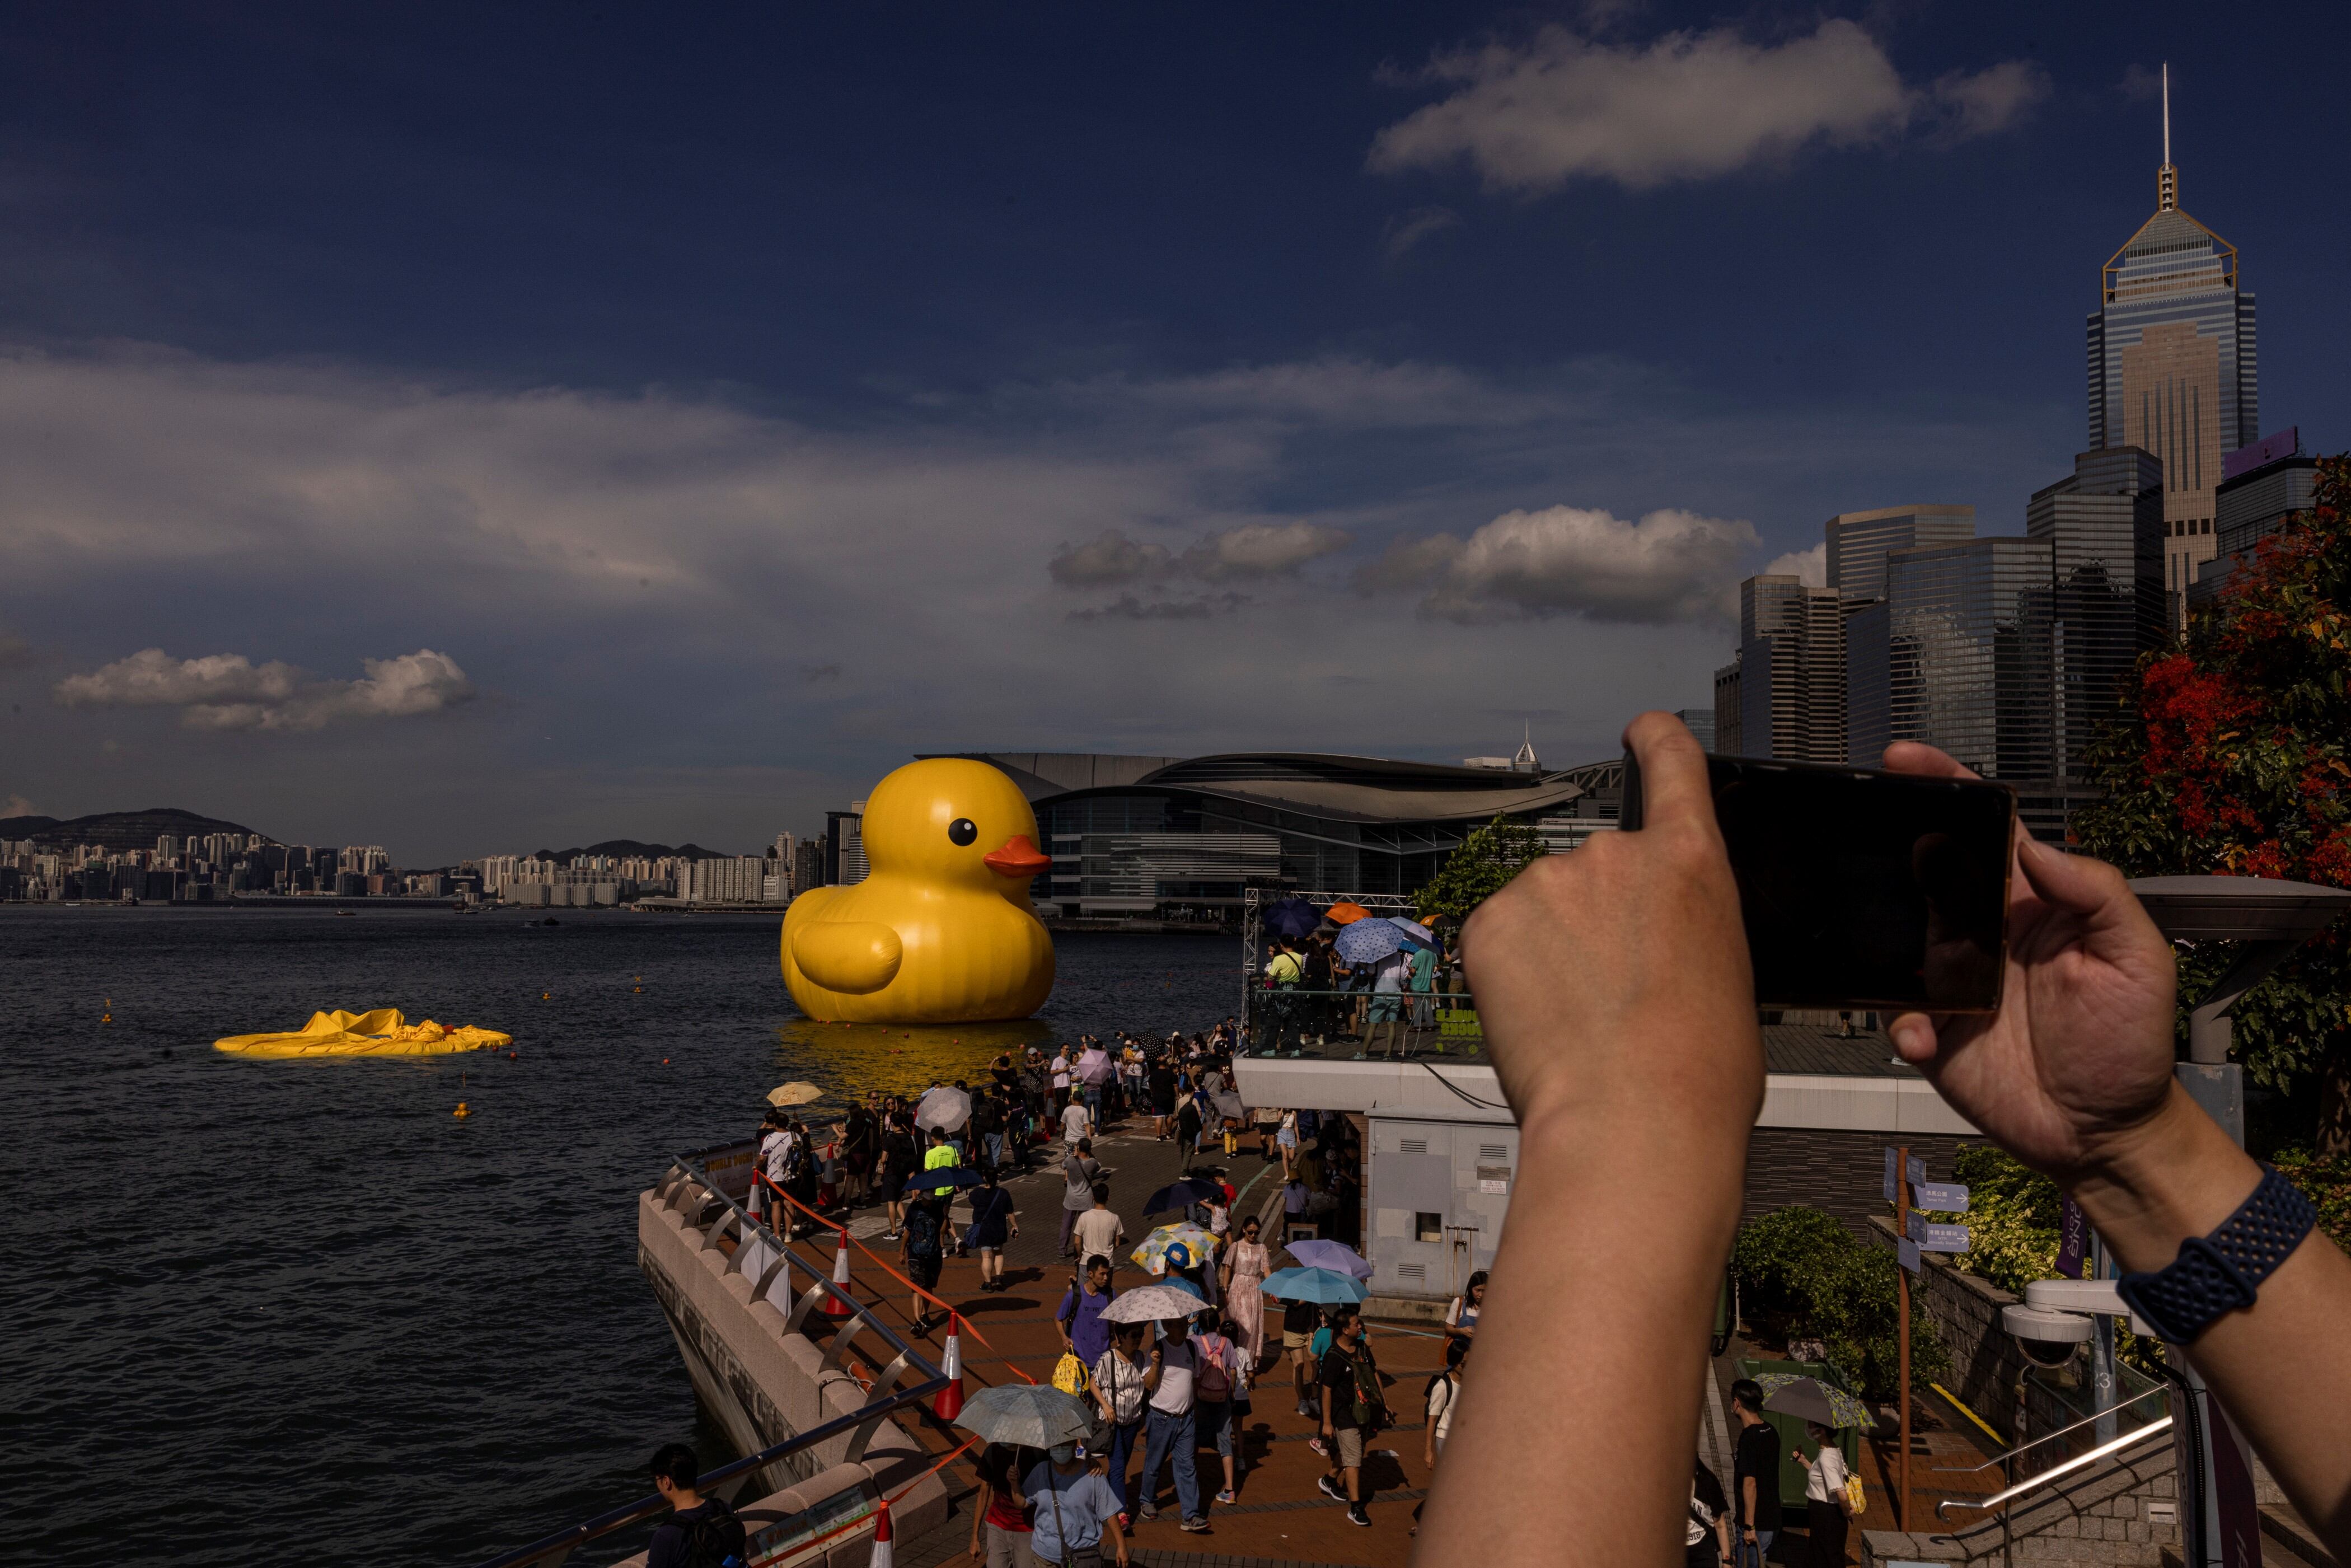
1666 568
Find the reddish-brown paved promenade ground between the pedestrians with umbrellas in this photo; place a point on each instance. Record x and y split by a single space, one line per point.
1280 1515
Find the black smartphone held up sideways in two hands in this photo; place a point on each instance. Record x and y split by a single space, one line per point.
1863 890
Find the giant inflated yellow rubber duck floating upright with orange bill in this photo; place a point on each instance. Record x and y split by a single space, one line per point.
942 930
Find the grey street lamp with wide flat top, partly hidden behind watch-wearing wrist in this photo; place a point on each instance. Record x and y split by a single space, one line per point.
2268 920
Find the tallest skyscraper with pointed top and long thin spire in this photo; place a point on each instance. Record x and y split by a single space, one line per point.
2173 366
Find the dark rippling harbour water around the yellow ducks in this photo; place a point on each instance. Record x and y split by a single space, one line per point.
297 1311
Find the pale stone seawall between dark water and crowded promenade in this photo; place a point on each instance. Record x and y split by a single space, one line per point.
768 1386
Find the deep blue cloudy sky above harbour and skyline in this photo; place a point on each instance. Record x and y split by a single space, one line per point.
481 434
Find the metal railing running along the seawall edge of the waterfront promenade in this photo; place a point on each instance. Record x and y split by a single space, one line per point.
681 1186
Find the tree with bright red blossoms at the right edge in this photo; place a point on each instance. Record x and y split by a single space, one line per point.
2239 768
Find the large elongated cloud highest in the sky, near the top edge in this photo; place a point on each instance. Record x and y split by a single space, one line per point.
1682 107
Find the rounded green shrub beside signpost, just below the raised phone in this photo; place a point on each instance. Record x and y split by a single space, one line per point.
1804 1275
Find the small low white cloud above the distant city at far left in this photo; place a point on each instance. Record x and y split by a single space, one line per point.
232 692
